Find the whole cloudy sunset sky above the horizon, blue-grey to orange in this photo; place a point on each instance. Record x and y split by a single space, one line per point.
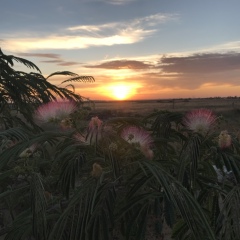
134 49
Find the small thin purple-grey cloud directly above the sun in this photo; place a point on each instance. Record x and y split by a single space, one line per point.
121 64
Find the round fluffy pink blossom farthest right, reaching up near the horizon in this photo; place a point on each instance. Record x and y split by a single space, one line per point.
199 120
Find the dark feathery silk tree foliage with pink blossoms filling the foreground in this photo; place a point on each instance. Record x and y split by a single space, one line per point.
124 177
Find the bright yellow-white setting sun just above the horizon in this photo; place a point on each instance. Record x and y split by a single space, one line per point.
121 91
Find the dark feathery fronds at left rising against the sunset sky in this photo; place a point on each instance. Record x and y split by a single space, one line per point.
21 92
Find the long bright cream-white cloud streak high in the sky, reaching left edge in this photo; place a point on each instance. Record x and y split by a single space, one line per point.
85 36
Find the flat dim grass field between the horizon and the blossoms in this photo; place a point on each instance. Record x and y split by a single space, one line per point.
227 108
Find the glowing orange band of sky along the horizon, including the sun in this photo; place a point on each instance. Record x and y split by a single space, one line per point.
136 91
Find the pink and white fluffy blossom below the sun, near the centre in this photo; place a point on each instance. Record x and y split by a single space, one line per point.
139 138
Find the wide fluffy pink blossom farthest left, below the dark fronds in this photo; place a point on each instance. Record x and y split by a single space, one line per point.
55 111
